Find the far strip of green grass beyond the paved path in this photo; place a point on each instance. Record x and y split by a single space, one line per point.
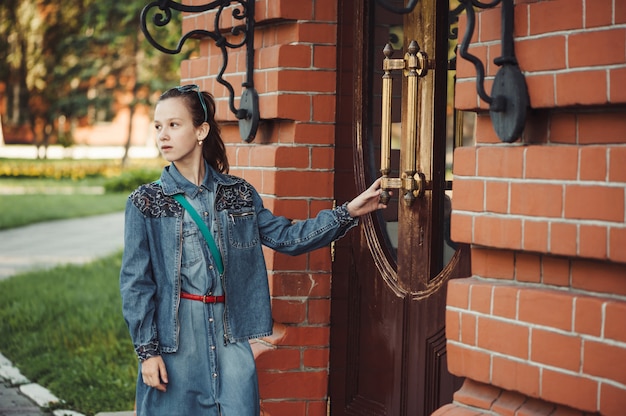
18 210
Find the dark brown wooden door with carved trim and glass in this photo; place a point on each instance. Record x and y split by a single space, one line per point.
388 345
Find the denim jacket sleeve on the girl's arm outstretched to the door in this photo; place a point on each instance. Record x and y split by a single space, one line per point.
297 237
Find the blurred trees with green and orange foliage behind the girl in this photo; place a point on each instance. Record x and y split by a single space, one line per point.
70 62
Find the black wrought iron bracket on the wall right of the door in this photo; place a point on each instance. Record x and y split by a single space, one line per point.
509 100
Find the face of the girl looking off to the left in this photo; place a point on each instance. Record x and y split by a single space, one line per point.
177 137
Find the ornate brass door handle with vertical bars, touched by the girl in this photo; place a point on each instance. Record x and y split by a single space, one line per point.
415 64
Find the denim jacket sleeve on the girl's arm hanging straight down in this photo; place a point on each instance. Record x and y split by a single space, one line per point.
137 286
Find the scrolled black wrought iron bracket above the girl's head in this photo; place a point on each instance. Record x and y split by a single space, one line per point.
248 112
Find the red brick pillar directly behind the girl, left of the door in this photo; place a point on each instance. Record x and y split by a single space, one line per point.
291 164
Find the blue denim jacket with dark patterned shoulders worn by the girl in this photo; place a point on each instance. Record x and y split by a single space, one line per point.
150 274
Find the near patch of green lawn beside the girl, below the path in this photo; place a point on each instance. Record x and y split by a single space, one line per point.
63 328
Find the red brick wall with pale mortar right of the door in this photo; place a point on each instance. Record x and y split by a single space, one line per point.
541 324
